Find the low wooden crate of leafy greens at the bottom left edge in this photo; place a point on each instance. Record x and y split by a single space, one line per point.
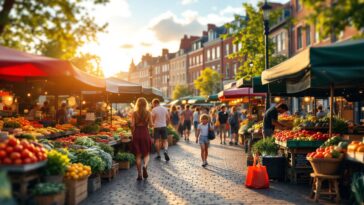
49 193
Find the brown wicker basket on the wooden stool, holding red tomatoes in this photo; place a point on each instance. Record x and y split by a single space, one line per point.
325 166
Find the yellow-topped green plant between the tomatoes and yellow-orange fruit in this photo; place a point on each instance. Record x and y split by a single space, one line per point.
56 165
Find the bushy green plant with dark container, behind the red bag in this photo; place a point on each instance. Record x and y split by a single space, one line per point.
269 156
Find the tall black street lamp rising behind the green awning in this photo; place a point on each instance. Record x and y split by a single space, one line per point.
266 9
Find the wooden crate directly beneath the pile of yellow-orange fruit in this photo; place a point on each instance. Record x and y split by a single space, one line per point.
76 191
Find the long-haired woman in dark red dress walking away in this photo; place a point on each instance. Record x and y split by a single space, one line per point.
141 144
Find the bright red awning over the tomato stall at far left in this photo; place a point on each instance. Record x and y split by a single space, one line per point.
15 64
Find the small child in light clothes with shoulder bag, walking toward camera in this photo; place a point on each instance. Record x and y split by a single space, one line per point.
202 136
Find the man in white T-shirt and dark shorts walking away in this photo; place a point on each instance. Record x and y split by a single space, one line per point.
160 118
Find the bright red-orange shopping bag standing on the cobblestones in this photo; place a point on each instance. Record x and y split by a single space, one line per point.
257 177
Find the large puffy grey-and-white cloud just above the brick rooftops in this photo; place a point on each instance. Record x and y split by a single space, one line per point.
168 27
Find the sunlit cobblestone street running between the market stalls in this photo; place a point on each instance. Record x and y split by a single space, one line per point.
184 181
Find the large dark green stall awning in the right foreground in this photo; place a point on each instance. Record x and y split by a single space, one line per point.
340 64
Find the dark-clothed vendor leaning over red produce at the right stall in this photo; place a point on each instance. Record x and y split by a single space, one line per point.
270 120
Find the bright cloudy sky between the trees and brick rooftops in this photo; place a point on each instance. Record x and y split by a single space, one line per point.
137 27
